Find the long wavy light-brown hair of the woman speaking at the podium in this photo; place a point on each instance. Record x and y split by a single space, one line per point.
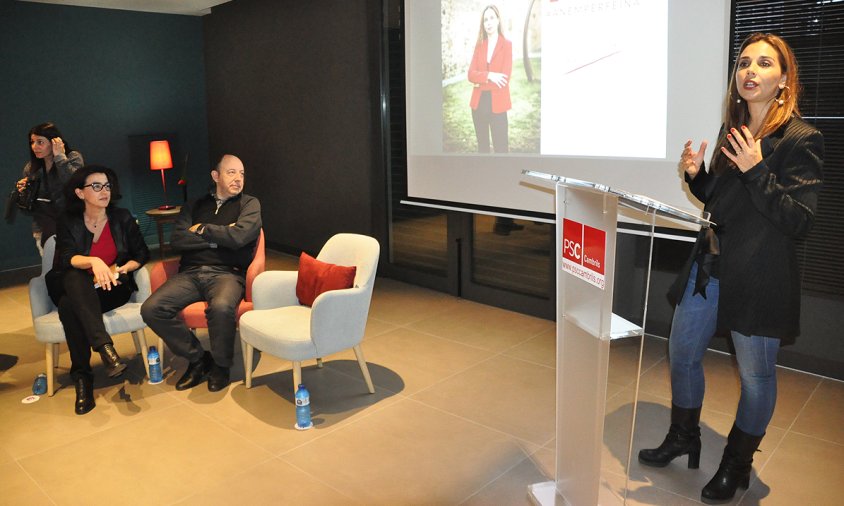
736 112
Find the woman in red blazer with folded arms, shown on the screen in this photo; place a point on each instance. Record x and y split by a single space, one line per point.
489 72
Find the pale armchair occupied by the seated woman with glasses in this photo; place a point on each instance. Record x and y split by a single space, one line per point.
48 327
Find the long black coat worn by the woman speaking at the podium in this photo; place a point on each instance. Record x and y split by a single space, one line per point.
758 215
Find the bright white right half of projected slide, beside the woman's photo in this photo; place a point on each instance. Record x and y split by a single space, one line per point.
605 78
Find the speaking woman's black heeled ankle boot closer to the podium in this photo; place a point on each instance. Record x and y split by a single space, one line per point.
683 439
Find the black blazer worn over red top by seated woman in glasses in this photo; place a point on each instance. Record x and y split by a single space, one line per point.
73 238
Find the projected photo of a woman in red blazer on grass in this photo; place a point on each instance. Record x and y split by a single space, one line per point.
491 70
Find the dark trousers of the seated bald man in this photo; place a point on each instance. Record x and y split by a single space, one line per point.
221 288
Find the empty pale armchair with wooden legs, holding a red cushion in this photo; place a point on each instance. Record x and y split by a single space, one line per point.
280 326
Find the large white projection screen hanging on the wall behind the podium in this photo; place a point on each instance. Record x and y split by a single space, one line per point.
599 90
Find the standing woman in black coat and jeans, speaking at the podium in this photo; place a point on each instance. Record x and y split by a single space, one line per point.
762 191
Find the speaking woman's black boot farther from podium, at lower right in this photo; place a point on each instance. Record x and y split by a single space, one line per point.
734 471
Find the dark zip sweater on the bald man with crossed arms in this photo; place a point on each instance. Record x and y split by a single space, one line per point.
228 236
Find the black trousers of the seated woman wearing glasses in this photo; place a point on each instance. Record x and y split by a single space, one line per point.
81 309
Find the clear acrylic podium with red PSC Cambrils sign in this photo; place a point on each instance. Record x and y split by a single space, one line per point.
587 215
